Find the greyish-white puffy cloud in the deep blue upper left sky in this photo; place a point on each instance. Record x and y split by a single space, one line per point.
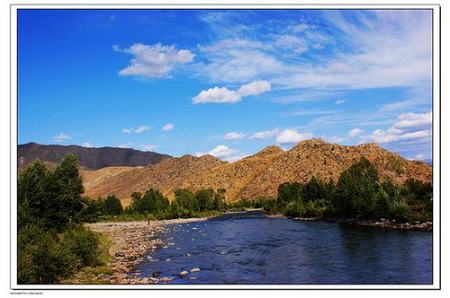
153 61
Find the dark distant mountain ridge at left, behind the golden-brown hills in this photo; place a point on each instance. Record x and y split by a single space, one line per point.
90 158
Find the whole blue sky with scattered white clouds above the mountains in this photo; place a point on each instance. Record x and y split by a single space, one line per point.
225 82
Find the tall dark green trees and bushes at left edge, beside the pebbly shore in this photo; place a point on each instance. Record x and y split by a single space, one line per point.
49 203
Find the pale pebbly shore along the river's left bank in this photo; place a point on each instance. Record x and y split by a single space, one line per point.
130 242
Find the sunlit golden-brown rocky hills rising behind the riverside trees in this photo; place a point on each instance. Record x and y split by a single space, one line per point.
254 176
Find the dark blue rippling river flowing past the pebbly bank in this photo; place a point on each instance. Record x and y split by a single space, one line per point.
254 249
